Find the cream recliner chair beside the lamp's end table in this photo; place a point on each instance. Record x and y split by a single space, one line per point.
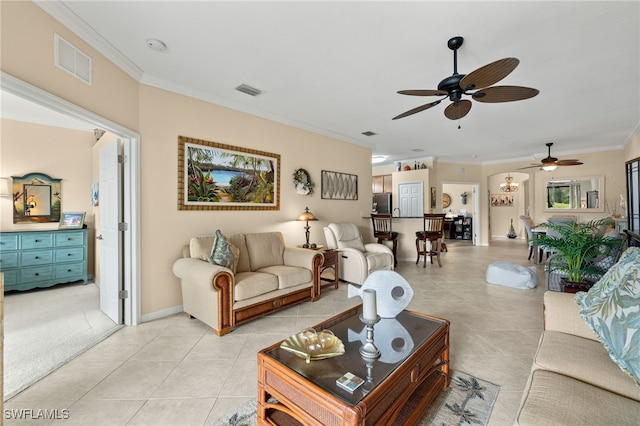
357 259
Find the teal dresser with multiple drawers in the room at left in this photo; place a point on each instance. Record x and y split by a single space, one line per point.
43 258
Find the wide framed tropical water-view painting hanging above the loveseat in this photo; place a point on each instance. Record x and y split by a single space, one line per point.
214 176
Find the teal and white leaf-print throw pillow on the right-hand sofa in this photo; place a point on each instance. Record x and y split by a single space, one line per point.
612 309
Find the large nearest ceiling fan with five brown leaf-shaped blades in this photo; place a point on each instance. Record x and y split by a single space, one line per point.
478 84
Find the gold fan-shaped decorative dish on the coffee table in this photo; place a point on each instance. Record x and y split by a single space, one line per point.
313 346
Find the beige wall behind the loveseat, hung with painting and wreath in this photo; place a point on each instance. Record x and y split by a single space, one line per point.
164 116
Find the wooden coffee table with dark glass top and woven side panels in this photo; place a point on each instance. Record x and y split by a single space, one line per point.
412 369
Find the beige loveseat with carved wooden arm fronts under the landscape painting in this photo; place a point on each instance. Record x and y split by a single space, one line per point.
268 276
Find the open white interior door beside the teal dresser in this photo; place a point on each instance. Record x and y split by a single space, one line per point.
110 238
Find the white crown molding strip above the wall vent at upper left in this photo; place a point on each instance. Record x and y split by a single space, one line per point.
66 17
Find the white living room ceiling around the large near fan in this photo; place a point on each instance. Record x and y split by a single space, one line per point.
334 67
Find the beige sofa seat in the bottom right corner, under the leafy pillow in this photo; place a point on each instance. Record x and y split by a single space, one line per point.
573 380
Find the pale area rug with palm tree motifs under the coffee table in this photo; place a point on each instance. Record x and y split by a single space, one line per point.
467 401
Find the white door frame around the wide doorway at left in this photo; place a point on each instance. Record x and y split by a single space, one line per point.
131 178
